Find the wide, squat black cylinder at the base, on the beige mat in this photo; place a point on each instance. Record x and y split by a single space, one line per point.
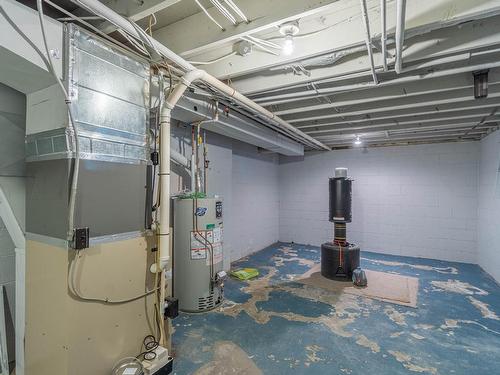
338 262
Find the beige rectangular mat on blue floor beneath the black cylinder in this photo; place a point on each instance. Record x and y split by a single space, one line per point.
387 287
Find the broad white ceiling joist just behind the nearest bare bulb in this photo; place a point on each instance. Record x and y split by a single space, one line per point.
347 31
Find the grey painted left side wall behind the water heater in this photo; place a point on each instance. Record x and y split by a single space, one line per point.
247 180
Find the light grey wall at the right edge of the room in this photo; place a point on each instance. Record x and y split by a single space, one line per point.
489 205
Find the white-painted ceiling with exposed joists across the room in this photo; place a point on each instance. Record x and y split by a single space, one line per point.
325 88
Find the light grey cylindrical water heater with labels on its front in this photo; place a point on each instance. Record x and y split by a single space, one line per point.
198 251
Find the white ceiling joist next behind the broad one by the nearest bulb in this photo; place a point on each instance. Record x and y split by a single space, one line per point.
457 41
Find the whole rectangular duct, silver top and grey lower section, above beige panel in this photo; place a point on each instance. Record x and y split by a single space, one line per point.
109 92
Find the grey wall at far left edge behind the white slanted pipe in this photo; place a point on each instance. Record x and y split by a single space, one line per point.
12 170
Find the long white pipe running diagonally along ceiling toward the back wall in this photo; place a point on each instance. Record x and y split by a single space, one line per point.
102 10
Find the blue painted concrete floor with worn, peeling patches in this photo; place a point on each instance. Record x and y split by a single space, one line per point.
273 325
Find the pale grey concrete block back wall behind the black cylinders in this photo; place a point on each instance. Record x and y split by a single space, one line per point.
413 200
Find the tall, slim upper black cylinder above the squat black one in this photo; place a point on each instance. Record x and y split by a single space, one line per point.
340 200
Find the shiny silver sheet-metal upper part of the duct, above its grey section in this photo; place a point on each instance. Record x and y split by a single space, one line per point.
109 93
